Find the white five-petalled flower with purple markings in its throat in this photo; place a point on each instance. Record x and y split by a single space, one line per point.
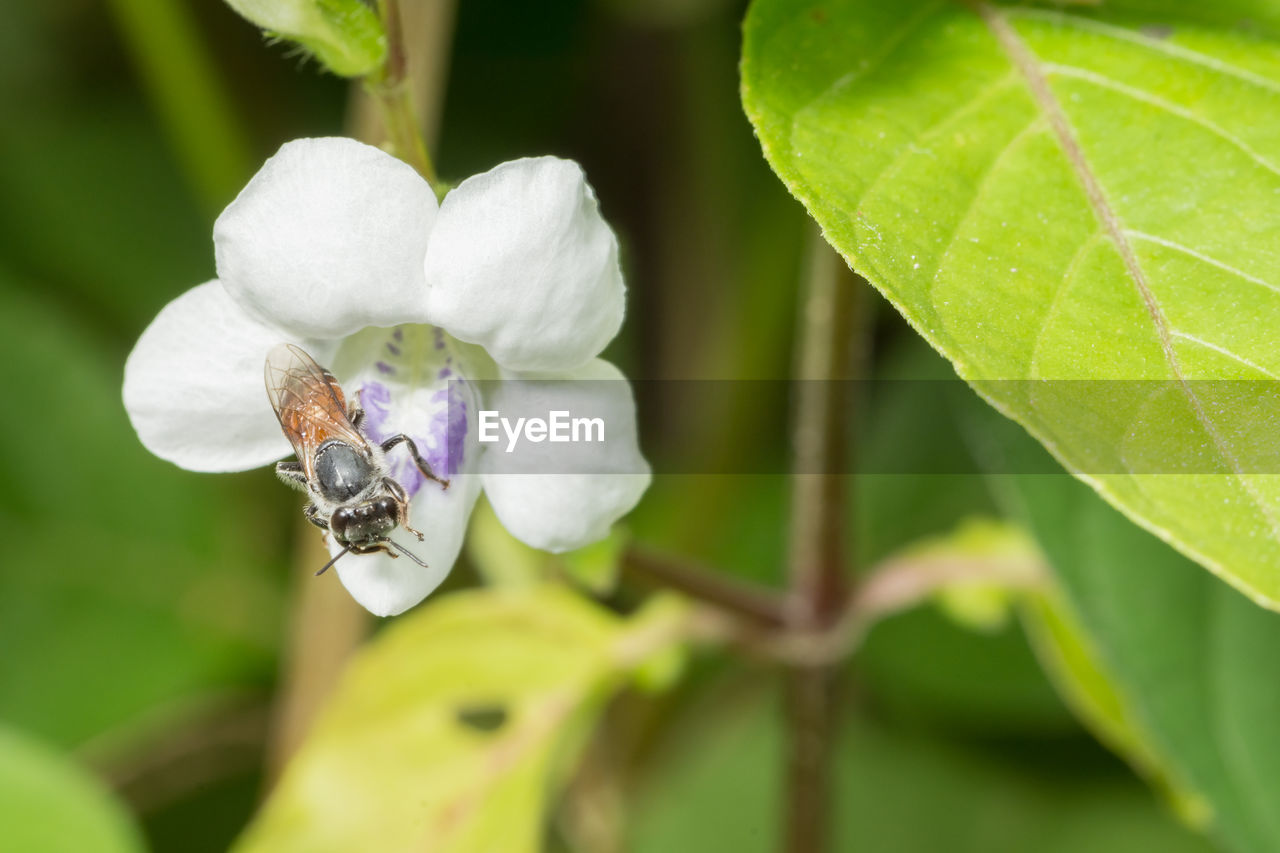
344 250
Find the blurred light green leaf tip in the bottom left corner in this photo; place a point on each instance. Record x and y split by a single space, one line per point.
51 805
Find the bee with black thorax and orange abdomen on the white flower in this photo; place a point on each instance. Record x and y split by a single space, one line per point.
346 476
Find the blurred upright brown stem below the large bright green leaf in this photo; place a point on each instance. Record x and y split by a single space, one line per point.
819 589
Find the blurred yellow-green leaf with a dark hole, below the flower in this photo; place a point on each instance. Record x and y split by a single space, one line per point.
452 731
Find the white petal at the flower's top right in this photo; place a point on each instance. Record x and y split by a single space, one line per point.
523 264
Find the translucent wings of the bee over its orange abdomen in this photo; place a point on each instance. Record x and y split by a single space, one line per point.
309 404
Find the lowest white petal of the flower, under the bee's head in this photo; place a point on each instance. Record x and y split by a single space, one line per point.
387 587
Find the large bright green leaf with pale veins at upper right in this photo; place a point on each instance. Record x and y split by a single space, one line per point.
1073 193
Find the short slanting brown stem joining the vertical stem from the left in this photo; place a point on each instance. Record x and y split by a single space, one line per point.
748 601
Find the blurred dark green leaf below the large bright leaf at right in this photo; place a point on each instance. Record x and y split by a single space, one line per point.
1190 659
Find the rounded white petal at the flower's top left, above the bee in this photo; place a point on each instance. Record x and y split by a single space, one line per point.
327 239
